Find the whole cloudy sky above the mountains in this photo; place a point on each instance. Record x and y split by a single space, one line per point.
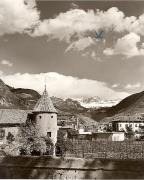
56 42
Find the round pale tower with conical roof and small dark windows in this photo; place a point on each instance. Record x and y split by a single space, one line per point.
46 117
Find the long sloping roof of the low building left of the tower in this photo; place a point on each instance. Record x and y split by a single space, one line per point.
13 116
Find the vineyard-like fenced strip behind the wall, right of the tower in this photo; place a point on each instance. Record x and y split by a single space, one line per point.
106 149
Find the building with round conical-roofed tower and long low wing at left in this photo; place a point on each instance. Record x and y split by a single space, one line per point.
43 116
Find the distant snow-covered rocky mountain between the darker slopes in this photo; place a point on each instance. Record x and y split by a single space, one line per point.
97 102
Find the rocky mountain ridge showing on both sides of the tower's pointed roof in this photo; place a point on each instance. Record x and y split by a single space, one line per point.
12 98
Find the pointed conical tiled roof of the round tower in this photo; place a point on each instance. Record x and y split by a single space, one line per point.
44 104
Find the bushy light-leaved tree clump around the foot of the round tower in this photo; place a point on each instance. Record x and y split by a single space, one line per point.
27 142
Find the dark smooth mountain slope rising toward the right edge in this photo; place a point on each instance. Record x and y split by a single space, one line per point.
131 106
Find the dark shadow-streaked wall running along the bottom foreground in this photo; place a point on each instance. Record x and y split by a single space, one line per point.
68 168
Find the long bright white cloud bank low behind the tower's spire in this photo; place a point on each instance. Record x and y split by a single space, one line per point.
62 86
